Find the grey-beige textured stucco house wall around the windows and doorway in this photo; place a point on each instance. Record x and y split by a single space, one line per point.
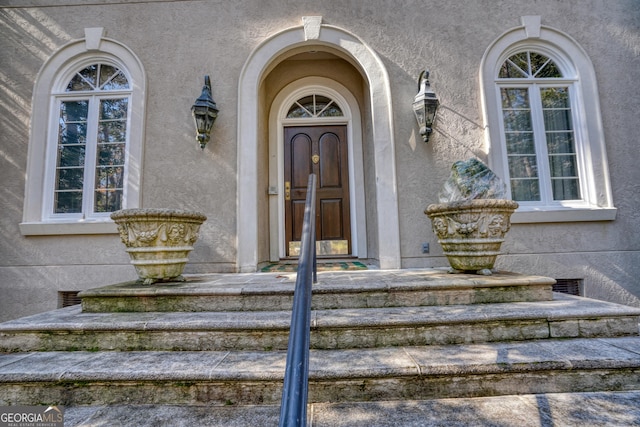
180 42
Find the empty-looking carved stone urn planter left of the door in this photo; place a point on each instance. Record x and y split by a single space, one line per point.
158 241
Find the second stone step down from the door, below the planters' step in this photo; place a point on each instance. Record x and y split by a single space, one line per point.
70 329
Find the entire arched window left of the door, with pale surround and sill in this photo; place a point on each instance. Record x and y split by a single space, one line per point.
86 140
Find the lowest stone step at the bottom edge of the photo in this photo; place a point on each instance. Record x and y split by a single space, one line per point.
528 410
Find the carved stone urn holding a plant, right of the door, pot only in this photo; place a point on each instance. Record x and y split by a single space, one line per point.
472 231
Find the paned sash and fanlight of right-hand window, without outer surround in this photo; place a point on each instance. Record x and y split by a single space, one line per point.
538 127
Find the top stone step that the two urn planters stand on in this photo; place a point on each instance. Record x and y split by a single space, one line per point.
334 290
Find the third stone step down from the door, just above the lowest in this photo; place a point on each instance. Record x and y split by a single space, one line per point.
354 375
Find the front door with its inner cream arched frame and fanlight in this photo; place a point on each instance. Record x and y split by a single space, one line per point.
326 114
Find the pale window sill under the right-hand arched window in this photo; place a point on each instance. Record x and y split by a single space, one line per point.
532 215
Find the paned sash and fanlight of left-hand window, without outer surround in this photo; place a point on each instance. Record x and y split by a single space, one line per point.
92 133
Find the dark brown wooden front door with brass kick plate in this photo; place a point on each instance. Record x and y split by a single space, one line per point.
321 150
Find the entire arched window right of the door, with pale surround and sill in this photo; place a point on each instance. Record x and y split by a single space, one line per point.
543 138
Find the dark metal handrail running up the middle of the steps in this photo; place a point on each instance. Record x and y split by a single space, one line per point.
293 409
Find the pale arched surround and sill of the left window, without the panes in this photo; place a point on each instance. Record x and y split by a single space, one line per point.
93 48
